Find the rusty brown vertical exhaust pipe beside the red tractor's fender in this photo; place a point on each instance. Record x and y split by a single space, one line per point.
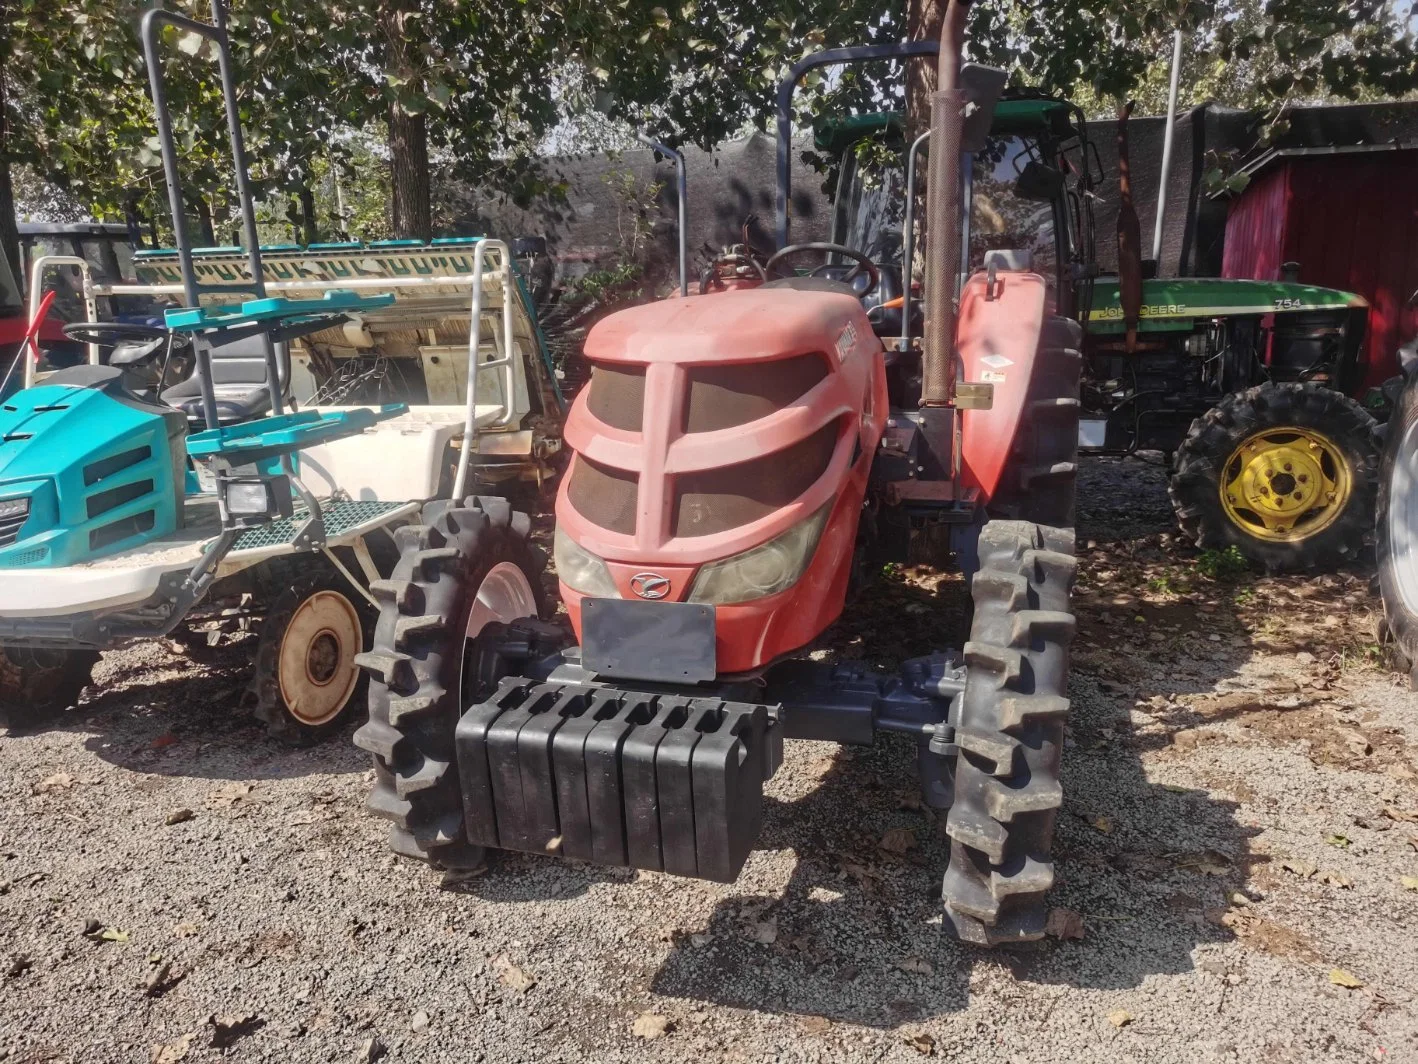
948 111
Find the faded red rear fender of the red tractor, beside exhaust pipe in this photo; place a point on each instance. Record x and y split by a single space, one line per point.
1002 320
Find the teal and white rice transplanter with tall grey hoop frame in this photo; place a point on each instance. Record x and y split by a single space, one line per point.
128 500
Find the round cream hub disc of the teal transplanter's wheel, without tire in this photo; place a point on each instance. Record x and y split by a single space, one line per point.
318 672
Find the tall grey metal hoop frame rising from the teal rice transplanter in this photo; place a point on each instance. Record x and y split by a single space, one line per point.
152 28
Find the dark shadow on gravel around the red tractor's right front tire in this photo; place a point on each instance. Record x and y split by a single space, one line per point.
857 937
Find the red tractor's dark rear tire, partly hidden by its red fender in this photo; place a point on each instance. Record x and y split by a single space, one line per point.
1042 480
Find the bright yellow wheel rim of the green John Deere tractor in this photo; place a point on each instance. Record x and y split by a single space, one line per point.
1287 484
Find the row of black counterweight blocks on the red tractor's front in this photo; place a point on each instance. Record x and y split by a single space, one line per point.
623 778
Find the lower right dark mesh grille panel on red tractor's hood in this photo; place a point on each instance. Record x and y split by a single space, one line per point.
720 500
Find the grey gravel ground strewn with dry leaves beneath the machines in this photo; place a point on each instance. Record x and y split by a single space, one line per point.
1241 812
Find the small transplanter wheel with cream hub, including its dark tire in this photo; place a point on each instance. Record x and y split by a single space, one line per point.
306 676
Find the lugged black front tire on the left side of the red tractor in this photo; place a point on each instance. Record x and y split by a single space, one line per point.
418 669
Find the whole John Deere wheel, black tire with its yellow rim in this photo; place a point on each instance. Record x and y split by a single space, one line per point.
1283 473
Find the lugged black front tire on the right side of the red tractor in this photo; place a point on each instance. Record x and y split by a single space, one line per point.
1010 733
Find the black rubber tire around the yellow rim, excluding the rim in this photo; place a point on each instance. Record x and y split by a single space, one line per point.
1200 469
